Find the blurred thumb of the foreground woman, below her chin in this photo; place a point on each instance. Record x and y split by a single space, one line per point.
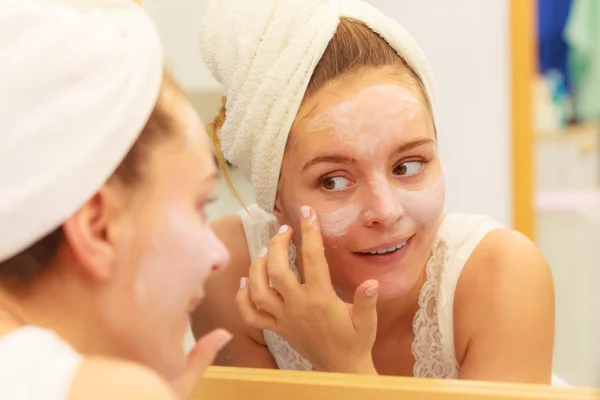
202 355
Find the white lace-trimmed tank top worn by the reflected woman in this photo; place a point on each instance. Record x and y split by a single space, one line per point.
433 324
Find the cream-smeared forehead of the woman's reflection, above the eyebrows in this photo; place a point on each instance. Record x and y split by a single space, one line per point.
352 111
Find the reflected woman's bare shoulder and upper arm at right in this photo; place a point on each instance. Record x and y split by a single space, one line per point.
504 312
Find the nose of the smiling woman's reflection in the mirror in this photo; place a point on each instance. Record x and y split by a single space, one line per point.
381 208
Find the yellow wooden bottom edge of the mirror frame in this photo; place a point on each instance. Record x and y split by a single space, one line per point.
228 383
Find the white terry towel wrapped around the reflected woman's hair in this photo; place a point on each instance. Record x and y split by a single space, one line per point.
264 53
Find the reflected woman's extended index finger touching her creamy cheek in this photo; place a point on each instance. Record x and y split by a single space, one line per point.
316 270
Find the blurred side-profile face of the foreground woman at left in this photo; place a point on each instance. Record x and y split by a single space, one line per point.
165 249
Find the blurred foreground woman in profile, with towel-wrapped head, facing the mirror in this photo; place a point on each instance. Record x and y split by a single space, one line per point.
104 174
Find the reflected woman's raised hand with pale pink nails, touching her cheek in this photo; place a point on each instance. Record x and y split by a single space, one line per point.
333 335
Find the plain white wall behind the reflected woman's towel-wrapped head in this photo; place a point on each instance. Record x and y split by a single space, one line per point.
467 43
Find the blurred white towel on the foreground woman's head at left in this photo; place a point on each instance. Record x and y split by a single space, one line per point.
78 81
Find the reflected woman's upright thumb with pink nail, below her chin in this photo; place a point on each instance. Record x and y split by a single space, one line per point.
364 311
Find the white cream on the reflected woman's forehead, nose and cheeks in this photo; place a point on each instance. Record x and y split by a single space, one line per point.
366 125
